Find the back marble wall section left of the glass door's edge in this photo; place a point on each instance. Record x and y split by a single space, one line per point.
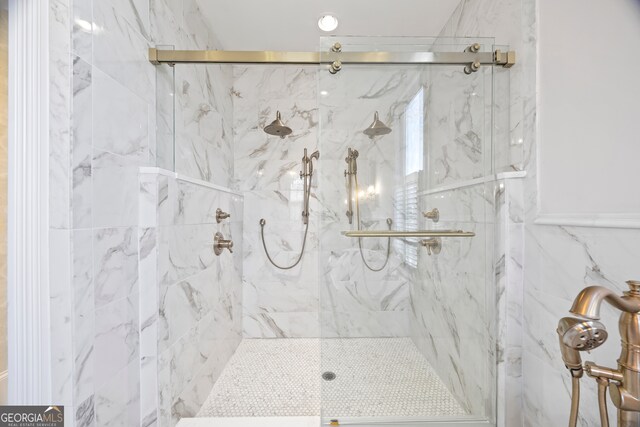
277 303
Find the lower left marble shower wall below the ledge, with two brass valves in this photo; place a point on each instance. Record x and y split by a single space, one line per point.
191 323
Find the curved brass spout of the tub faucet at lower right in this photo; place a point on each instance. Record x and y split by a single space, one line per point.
587 303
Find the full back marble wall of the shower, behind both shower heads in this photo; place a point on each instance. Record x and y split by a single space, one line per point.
355 302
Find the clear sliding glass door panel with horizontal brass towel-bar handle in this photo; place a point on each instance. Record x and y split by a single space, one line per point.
407 323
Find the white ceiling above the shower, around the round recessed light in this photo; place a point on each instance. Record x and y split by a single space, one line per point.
292 25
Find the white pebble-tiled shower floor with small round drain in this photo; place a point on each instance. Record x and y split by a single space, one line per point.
375 377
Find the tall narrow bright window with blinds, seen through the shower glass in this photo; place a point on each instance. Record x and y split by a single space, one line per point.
407 211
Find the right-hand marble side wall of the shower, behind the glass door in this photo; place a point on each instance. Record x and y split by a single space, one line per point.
452 319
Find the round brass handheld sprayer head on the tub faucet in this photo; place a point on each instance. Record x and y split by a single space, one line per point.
577 335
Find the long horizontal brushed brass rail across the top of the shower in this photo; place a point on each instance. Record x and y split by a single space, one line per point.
160 56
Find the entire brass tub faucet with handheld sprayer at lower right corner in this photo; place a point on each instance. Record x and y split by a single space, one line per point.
578 335
